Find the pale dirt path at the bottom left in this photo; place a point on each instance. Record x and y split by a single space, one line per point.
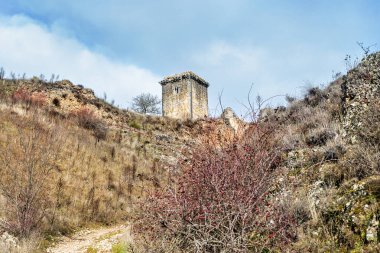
93 240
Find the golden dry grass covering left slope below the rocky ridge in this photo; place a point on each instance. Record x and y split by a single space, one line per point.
76 179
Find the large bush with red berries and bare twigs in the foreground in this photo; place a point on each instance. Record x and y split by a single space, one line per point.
221 202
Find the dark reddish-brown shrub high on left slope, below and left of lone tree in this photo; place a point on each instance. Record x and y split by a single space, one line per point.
86 118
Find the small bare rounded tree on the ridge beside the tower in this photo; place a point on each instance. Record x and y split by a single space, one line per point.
146 103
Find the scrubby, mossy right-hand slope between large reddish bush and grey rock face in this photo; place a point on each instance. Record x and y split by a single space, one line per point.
331 182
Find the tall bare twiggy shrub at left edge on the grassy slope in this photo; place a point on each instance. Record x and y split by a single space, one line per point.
26 165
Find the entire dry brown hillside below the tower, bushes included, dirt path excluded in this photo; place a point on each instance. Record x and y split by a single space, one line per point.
303 178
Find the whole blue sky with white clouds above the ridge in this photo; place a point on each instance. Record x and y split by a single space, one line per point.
123 48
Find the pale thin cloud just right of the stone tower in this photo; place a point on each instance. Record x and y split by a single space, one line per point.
234 67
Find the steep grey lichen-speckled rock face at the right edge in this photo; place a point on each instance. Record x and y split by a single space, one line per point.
361 90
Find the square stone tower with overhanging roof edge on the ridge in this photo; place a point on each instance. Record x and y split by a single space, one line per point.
184 96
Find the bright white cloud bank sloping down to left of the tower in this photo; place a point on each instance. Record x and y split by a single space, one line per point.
27 46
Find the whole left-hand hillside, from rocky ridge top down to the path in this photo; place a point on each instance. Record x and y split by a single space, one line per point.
86 161
